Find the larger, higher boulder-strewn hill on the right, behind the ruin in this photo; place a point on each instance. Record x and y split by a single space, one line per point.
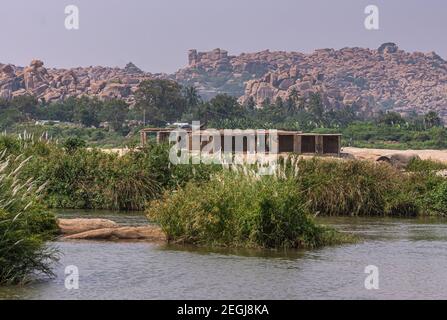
386 78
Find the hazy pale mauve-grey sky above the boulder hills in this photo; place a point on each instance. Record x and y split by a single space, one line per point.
156 34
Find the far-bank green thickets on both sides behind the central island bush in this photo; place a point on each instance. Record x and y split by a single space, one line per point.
81 178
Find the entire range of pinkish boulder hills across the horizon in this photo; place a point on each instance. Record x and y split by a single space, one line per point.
387 78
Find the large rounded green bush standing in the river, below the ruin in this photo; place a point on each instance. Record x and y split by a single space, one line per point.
240 210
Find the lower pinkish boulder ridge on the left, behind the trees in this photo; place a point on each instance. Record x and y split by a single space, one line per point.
57 84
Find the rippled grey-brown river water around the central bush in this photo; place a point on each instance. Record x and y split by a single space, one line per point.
411 257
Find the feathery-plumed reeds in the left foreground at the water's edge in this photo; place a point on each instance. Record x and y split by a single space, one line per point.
25 225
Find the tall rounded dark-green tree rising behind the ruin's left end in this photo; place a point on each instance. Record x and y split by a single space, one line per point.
161 100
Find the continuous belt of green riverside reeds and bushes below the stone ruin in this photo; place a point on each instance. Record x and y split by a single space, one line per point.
199 204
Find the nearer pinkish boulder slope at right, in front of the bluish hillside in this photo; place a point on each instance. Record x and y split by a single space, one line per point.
387 78
